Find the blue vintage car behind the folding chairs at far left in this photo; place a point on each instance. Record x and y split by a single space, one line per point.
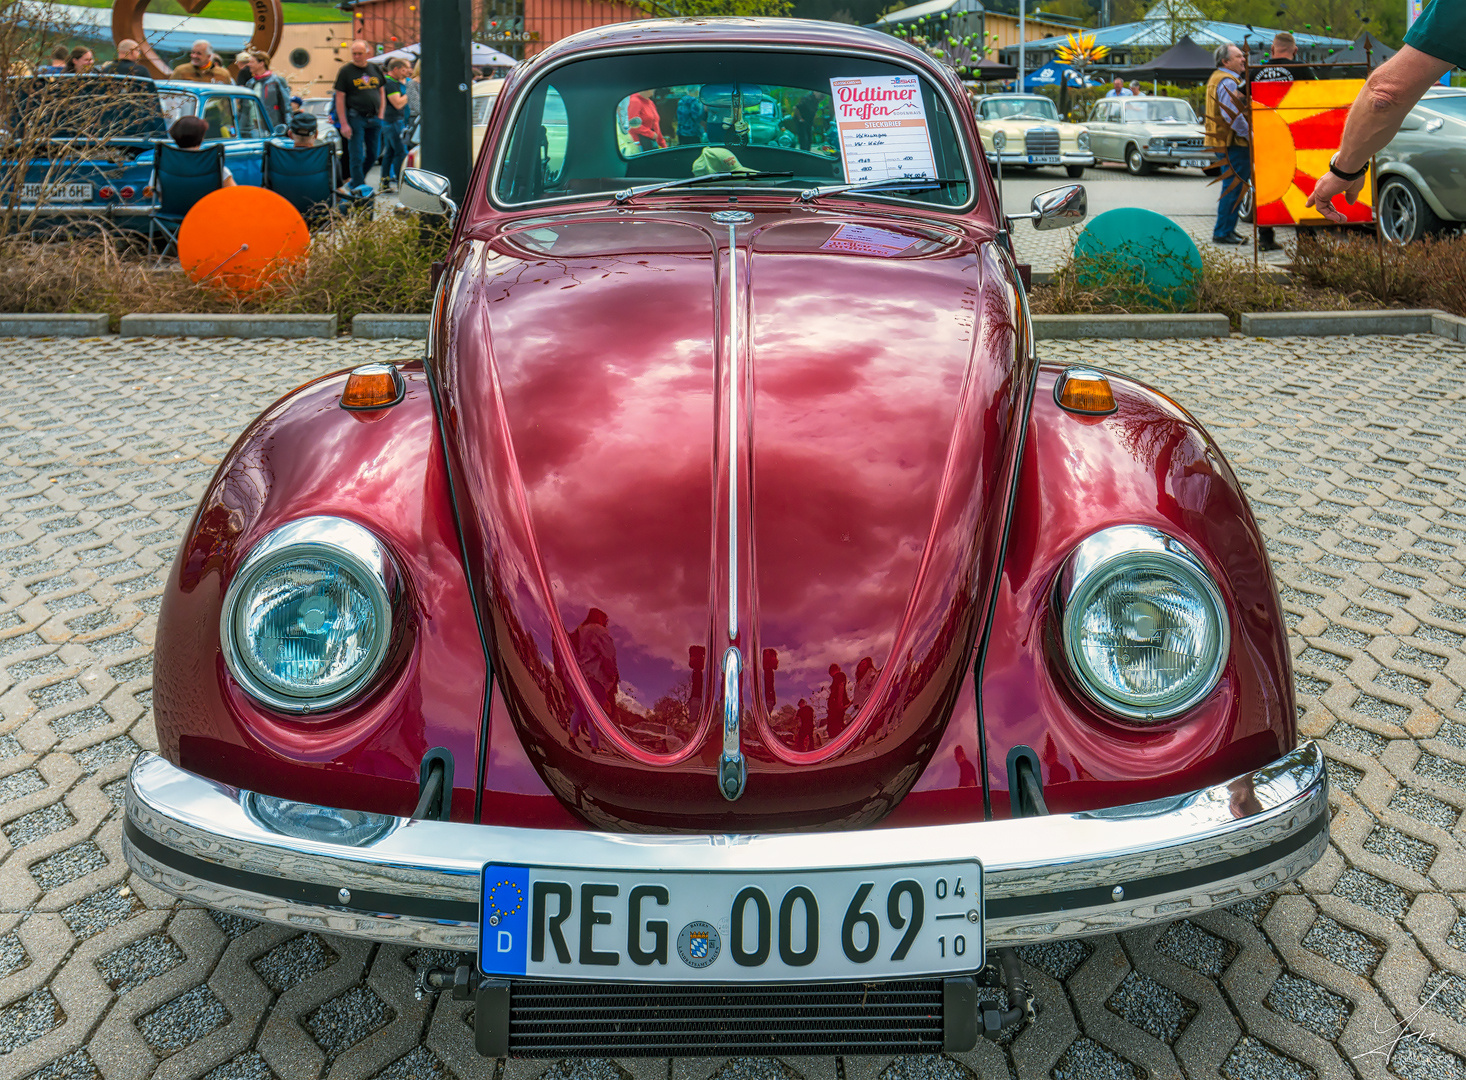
89 143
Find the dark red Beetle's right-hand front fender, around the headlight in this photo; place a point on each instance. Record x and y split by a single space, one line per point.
1147 464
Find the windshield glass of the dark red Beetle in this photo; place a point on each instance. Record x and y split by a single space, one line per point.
605 124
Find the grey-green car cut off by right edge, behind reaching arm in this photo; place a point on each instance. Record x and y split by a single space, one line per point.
1423 171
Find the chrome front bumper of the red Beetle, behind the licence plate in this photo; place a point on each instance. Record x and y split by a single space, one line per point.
1046 879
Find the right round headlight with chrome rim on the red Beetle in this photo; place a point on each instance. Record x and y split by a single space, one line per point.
1144 626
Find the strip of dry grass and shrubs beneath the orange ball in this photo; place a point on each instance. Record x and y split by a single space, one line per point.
380 266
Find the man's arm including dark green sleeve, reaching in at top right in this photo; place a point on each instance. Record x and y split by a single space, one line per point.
1433 46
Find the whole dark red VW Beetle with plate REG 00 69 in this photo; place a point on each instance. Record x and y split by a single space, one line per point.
731 632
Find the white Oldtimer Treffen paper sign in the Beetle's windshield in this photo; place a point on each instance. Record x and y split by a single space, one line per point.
882 121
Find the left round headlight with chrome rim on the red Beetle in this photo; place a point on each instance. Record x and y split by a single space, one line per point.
309 618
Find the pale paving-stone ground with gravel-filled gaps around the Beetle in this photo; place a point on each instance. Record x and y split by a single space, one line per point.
1354 451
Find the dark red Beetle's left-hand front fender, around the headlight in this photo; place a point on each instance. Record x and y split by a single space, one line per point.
383 470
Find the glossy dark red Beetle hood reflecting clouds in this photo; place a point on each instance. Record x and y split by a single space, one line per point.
596 411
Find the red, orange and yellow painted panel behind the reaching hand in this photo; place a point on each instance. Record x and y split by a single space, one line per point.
1297 128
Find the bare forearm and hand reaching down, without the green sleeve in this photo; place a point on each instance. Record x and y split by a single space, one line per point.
1374 119
